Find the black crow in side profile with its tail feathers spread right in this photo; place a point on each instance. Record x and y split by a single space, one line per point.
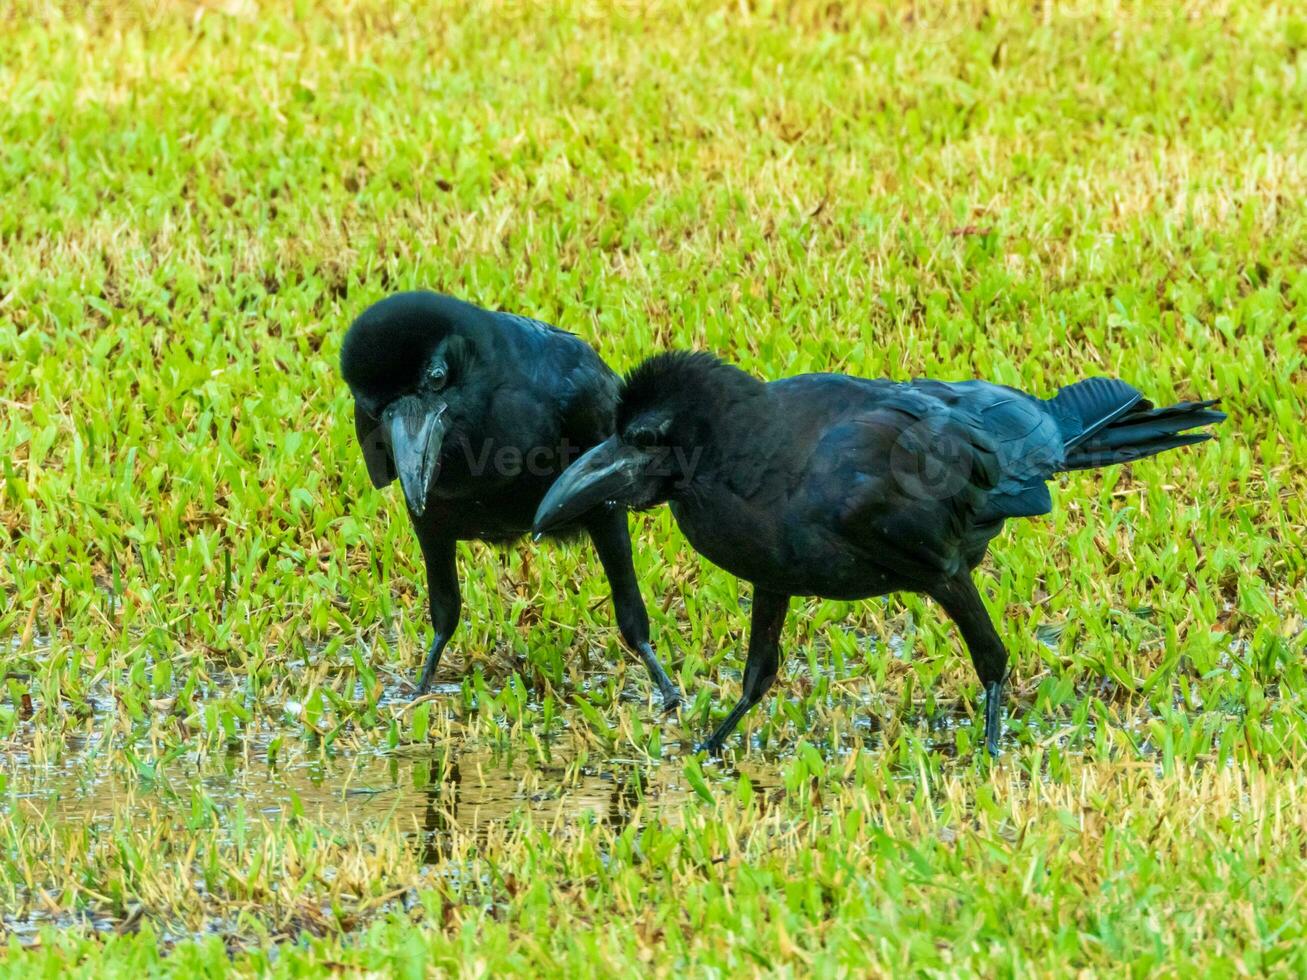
846 488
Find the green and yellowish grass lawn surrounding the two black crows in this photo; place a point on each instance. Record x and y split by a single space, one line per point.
201 585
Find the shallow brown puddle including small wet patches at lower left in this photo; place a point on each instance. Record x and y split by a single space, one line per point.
437 798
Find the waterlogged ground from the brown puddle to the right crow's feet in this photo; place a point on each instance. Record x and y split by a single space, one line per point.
466 781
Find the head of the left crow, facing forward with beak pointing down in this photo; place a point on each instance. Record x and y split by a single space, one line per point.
410 361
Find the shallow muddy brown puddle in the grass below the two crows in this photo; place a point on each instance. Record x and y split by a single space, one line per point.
457 785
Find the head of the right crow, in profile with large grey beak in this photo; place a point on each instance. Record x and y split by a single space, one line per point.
667 419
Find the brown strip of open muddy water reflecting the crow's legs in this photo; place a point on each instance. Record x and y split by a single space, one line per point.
431 792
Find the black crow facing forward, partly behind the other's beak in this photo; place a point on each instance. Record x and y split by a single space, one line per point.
476 414
